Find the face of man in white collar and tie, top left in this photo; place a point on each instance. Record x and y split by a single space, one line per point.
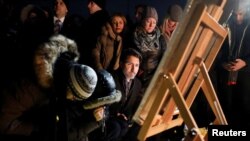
60 8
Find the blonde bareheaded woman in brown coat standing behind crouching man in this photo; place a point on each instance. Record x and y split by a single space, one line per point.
107 51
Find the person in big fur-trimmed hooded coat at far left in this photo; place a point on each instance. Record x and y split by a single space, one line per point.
25 107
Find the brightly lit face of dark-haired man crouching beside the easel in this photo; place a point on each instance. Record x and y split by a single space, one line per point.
130 67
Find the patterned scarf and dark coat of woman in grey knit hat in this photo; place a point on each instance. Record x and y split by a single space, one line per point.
152 47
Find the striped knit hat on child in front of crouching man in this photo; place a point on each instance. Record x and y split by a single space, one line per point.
82 81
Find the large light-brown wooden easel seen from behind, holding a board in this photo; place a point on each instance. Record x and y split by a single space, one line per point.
182 72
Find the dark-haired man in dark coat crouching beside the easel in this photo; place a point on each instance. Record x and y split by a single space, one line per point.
120 117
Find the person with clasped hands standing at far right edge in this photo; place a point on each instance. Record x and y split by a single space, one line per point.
233 63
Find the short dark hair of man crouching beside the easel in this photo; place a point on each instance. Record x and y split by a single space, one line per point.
130 52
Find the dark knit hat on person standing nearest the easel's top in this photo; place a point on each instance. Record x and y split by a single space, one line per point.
175 12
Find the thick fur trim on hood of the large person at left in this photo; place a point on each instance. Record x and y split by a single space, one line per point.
46 55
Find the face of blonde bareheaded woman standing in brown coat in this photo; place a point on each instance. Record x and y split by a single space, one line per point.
117 24
